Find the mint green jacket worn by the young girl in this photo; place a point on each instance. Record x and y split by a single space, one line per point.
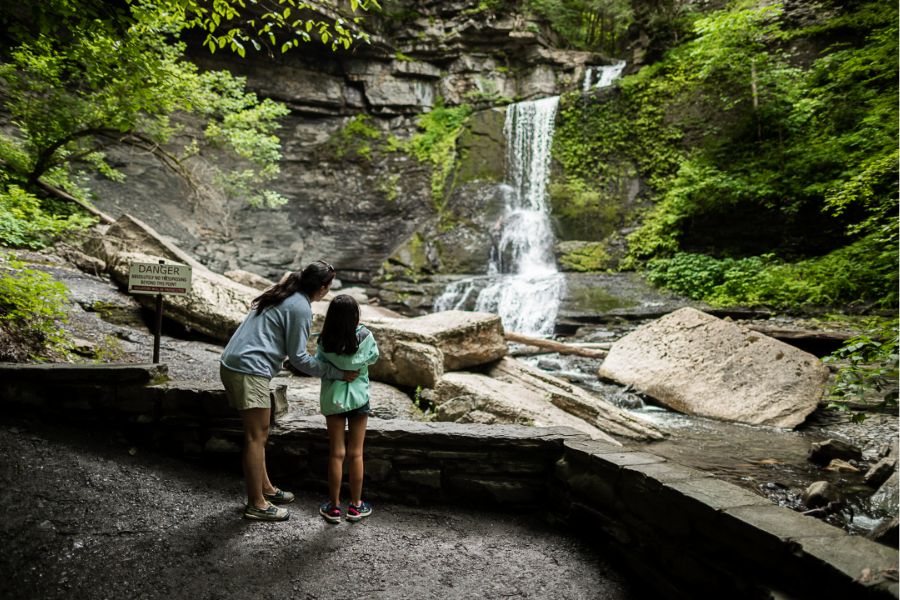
336 395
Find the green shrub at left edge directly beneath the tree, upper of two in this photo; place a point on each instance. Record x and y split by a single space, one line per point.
25 224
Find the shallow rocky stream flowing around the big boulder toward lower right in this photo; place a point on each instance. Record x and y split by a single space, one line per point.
769 461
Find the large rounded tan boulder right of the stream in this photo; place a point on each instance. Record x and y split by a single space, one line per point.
695 363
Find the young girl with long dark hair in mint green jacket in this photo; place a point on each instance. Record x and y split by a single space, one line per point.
348 346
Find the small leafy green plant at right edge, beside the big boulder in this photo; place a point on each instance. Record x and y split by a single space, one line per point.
867 368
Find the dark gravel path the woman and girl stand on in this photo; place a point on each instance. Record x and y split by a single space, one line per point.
88 516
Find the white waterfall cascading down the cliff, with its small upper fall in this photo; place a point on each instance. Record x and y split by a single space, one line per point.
522 284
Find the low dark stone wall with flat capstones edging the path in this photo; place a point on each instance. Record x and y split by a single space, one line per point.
684 533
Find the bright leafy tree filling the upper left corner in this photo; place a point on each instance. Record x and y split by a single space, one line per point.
79 76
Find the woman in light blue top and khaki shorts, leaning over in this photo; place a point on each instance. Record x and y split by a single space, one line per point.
276 328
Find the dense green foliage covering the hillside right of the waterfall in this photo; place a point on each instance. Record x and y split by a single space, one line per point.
750 151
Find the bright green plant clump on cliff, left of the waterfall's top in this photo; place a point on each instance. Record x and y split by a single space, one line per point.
435 143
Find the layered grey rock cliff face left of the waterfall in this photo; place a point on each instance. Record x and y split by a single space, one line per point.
353 201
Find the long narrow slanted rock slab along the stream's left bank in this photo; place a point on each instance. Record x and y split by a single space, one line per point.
574 400
